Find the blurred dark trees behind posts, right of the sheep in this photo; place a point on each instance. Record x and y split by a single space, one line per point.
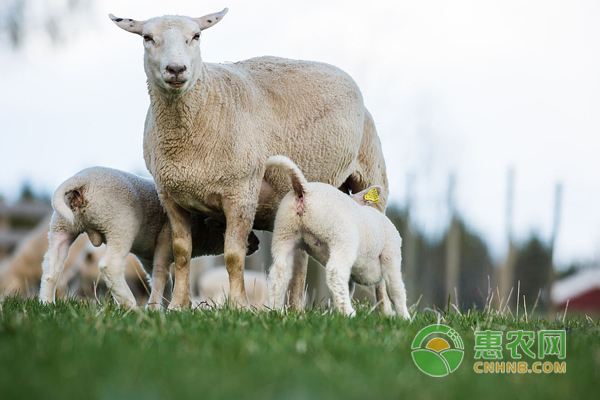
425 266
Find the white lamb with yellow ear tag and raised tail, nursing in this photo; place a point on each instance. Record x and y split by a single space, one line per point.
354 242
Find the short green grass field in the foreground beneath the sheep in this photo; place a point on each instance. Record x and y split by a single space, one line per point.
76 350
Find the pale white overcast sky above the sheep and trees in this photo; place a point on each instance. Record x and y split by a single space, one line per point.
465 87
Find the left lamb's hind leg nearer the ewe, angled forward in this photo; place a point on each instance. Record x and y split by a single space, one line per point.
112 269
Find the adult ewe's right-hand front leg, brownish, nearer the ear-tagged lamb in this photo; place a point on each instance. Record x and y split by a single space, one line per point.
240 217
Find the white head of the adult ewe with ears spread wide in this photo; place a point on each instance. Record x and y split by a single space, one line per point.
172 53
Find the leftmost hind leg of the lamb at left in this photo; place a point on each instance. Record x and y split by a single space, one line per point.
54 262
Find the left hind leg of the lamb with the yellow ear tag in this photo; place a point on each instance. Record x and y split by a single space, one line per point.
280 272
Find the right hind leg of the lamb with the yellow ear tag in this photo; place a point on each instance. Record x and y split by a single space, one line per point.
337 273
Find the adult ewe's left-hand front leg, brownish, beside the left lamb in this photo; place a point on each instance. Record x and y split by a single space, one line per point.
181 232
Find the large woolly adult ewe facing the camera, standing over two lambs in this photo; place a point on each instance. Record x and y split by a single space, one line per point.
211 127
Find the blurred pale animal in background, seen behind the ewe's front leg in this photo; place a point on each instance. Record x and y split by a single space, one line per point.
213 287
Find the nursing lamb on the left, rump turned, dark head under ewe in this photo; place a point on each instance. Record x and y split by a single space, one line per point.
123 211
